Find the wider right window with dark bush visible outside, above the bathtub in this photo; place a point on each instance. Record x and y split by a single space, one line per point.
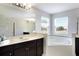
61 26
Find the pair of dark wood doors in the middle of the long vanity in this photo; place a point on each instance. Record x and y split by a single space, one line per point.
25 49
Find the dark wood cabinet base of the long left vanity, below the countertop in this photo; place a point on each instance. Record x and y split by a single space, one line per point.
30 48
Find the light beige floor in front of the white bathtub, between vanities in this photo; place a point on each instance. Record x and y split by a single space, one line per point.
59 51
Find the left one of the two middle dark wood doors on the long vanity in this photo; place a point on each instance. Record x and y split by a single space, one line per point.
21 49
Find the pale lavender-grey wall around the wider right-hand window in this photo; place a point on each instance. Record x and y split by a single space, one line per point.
72 19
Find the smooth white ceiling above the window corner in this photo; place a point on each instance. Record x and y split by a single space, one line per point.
53 8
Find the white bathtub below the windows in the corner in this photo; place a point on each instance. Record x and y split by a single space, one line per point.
59 40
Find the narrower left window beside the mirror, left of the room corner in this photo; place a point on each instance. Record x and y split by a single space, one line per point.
44 24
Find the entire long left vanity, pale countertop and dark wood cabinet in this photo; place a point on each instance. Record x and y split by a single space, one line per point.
25 45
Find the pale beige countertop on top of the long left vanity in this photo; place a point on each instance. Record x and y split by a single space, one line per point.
21 38
